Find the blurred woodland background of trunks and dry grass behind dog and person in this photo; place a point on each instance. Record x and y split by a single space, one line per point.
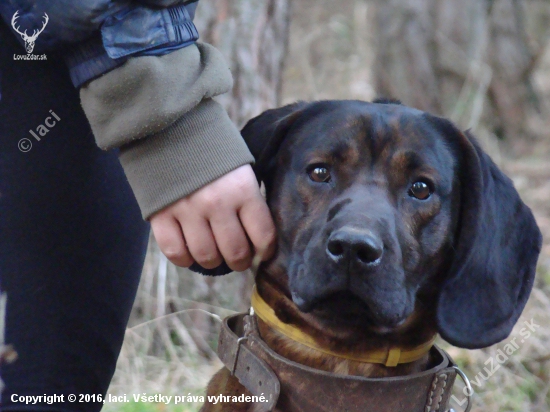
483 63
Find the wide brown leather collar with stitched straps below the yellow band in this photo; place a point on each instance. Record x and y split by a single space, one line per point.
288 386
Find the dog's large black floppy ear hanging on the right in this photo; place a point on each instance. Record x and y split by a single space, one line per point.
496 251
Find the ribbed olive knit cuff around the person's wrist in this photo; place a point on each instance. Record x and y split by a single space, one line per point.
199 147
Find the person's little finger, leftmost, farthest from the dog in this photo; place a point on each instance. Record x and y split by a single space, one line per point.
169 236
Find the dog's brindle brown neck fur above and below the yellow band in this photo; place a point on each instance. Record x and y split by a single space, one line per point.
336 350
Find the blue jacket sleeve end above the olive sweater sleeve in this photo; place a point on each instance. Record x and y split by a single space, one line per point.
97 36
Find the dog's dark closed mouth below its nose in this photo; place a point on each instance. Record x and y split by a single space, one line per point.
346 309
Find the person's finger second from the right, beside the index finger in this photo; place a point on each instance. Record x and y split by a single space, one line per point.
232 241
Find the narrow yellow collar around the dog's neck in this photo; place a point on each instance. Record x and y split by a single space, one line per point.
391 357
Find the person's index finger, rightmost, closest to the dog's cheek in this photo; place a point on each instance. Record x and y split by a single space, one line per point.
258 225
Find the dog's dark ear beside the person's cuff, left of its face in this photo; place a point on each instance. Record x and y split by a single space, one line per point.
264 135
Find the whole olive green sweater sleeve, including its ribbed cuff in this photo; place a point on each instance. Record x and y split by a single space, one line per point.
158 110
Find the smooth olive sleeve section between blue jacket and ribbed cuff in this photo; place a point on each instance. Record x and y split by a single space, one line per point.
149 93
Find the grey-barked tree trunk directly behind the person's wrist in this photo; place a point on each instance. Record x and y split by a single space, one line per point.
253 35
